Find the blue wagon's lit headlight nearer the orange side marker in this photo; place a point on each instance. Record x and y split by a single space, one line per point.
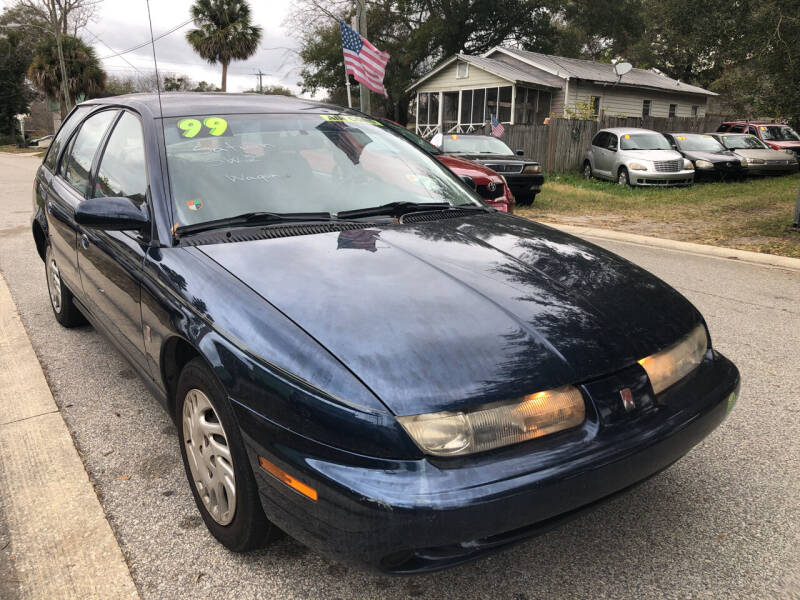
455 433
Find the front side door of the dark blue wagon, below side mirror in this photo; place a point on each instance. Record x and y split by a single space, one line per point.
110 262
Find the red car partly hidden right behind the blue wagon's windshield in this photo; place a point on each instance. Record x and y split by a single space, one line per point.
491 186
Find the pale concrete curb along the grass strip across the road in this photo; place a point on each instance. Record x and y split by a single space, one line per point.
756 258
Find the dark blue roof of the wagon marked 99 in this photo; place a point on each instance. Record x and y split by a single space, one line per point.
178 104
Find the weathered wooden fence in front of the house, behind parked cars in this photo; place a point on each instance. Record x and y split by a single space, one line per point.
561 145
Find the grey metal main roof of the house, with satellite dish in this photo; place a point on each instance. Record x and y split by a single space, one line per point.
590 70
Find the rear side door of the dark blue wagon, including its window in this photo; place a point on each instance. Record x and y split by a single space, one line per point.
67 188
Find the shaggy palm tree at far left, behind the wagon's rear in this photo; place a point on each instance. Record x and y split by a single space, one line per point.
85 76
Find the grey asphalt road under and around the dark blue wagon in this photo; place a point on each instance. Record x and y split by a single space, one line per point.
724 522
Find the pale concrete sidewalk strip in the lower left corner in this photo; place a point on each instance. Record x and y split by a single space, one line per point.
55 541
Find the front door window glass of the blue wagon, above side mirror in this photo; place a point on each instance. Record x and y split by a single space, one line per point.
122 169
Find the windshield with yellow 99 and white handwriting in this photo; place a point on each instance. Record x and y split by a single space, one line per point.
225 166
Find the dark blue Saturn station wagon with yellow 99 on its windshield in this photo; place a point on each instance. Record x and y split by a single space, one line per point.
356 350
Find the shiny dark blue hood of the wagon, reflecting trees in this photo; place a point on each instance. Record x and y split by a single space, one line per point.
451 313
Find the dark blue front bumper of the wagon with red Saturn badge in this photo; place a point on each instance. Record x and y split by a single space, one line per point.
406 516
